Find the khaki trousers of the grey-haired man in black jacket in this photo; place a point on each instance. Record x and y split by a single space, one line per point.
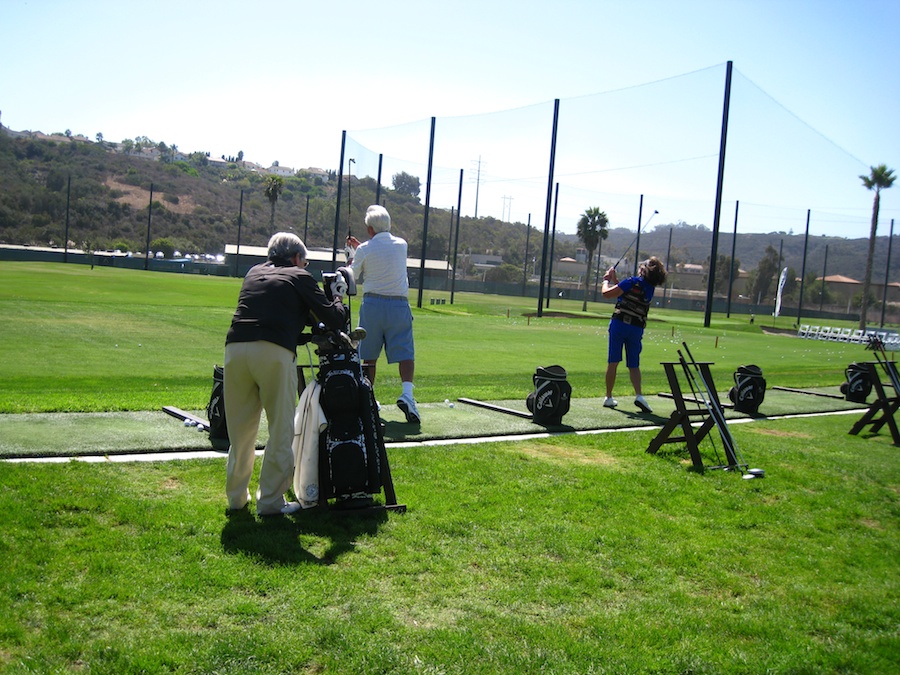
259 375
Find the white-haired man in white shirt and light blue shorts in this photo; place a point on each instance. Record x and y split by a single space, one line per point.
380 266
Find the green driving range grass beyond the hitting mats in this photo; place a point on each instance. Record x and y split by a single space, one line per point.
82 340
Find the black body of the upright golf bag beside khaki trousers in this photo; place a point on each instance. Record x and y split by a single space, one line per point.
350 448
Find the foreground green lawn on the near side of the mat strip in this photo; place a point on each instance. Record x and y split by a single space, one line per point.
562 555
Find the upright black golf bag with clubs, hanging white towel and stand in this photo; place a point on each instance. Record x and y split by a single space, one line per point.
342 455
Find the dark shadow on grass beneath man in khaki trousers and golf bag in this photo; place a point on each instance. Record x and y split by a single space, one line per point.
276 540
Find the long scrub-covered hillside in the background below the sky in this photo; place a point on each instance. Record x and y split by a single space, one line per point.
105 193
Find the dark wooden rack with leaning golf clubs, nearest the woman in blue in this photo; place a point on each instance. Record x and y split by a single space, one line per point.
710 410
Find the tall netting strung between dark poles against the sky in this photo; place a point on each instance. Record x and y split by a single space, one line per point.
659 141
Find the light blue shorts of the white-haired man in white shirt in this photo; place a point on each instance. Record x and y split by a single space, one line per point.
388 324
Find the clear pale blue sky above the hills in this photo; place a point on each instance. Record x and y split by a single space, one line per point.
817 93
